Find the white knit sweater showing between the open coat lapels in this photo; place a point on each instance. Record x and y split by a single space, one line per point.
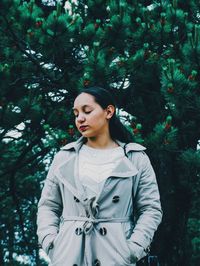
95 166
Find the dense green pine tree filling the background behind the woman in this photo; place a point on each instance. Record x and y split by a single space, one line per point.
148 55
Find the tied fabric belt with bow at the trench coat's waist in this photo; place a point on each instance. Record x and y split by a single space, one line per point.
92 208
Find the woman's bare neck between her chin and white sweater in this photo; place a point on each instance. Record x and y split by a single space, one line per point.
101 142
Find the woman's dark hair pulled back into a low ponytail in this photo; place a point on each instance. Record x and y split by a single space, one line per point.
104 98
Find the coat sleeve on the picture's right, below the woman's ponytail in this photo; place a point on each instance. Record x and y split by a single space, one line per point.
148 208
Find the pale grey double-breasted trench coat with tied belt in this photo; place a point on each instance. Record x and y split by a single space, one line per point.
115 228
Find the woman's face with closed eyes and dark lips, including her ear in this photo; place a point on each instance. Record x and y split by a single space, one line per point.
91 119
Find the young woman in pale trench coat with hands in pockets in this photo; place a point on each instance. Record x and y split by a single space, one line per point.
100 203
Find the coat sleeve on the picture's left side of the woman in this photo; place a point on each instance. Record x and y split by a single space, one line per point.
49 209
